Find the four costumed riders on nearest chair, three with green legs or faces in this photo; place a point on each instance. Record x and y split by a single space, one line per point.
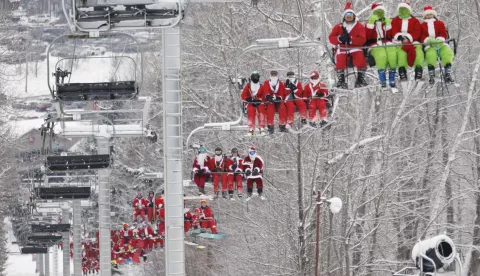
400 42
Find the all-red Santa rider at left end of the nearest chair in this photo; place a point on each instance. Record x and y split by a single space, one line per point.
349 36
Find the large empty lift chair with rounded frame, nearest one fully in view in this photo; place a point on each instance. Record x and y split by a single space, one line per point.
114 86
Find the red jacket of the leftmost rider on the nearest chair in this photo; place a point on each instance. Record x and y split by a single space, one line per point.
357 34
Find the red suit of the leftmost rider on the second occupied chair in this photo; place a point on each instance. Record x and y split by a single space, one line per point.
255 92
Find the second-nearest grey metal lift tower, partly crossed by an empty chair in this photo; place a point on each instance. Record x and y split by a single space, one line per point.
104 219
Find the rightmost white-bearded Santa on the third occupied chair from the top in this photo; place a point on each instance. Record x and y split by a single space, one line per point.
253 166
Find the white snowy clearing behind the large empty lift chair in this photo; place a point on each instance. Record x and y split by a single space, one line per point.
84 70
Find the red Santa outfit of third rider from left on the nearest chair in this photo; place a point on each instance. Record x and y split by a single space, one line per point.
409 29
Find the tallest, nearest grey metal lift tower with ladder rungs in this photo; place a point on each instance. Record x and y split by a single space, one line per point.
173 151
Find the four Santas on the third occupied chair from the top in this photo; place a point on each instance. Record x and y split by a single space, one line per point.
228 172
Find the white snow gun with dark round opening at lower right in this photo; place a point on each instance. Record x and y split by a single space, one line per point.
439 250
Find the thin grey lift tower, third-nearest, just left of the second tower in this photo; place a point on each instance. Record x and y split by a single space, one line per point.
77 242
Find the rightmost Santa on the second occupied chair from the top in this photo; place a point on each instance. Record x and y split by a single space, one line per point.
318 93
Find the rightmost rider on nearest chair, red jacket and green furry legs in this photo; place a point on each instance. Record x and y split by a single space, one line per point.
435 34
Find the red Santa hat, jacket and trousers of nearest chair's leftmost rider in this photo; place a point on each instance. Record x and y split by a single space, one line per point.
358 37
